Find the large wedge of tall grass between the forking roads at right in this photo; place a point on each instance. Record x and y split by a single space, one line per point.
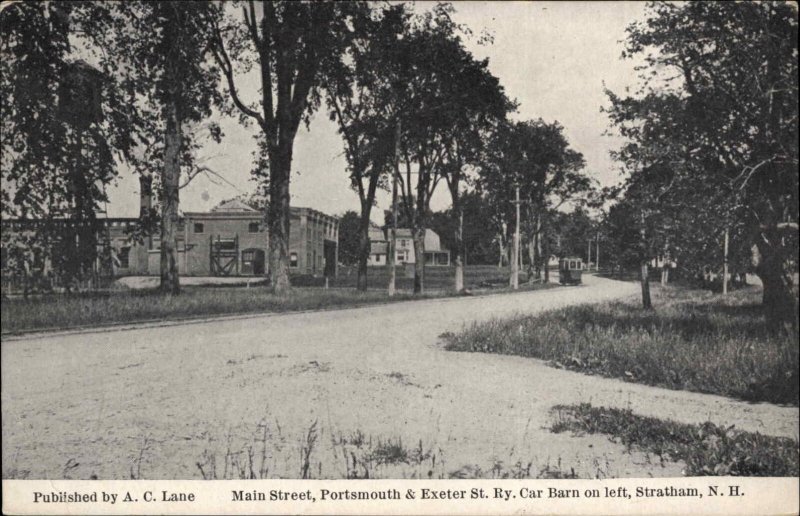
693 340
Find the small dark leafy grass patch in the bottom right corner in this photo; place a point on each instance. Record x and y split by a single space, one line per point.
706 449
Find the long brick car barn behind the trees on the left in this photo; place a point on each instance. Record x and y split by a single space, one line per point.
229 240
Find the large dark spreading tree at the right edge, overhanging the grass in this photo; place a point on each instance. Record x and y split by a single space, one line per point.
731 72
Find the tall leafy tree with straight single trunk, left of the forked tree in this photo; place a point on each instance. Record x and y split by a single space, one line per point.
163 48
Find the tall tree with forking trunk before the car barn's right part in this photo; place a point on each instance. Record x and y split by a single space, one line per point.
290 44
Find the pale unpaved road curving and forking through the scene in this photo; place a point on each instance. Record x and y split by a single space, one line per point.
155 402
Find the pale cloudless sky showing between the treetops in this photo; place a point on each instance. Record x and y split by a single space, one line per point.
554 58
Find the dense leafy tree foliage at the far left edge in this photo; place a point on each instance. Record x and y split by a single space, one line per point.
65 127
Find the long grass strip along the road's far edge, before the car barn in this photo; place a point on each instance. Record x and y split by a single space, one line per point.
130 306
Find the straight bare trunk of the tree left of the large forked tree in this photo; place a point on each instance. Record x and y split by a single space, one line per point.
170 181
